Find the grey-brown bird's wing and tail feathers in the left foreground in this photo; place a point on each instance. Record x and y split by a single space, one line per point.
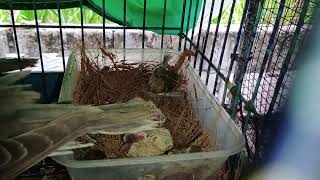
29 132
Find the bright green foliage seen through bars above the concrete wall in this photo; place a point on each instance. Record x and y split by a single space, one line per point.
89 17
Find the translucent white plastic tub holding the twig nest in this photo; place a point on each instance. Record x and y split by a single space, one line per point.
214 119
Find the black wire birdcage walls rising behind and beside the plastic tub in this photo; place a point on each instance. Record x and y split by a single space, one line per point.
249 66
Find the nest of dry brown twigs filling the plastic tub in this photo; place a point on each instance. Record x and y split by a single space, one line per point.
118 81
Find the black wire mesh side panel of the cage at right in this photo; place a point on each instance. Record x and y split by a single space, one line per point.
268 65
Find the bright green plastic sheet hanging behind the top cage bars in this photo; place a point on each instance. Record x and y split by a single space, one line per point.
154 13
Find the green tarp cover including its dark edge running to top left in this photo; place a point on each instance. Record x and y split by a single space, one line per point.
114 11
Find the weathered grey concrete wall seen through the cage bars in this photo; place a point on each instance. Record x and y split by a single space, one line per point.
50 43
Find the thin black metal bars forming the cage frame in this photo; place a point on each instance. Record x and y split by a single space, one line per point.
239 59
